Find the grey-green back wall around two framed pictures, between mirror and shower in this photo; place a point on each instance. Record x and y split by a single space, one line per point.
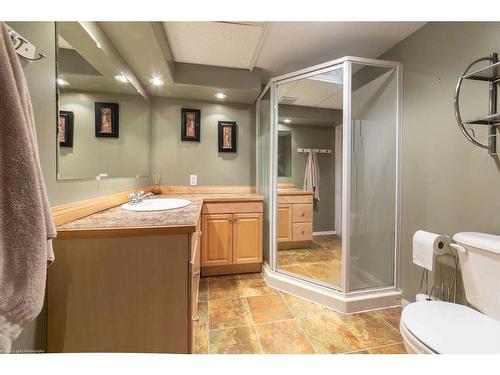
176 160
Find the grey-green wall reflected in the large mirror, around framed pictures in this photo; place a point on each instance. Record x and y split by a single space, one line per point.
126 156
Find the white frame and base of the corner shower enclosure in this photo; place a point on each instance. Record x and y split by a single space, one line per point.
342 300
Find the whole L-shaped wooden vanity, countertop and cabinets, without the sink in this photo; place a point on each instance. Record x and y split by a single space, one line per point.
128 281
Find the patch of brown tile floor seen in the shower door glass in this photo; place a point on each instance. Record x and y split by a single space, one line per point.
321 261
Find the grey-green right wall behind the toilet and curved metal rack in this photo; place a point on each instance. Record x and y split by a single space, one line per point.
449 185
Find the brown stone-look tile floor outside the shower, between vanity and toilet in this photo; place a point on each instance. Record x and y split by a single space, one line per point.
241 314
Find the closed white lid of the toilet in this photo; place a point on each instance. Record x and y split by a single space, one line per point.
451 328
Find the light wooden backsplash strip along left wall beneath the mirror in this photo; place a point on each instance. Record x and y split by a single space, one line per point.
76 210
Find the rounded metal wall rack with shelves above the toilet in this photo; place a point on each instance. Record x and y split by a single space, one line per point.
489 74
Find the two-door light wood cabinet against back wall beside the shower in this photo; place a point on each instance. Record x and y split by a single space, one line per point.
232 237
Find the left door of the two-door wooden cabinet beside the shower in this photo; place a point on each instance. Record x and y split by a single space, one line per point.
217 239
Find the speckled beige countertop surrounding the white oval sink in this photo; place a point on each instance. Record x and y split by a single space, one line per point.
117 220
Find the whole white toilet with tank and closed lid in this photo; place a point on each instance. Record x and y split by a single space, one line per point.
449 328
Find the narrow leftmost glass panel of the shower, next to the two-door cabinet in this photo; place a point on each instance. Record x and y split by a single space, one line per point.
264 166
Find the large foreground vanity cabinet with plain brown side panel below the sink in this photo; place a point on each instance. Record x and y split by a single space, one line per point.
131 294
